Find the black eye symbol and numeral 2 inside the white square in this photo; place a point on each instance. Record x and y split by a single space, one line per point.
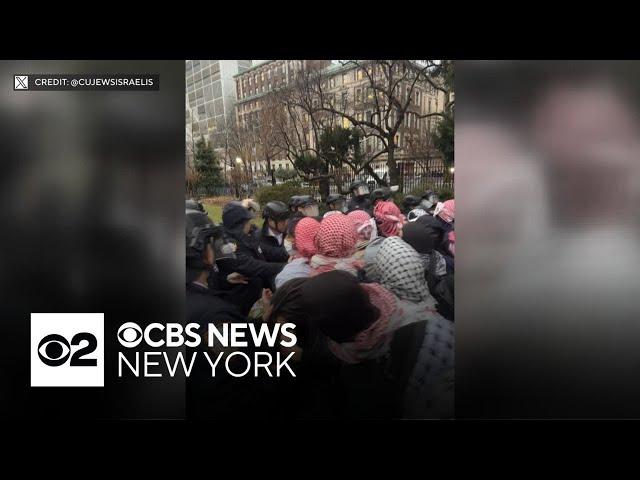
54 350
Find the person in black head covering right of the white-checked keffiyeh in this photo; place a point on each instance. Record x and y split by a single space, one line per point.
426 237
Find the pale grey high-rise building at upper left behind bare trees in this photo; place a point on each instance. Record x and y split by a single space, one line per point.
211 95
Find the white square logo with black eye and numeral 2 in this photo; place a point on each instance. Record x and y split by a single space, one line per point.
67 350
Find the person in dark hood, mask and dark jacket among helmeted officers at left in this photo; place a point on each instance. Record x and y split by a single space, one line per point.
250 260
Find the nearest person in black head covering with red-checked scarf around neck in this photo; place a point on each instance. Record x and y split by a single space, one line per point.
380 355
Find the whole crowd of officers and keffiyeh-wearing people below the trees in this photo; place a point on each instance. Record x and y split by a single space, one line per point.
368 285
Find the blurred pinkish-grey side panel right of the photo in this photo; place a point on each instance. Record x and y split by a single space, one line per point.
547 230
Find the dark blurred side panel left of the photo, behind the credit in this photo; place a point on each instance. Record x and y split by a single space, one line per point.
91 209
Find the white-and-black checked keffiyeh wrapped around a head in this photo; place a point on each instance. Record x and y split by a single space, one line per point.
400 269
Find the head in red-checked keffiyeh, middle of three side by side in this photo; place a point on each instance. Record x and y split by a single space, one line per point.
336 246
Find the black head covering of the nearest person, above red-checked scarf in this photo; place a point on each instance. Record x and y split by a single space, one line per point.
338 305
